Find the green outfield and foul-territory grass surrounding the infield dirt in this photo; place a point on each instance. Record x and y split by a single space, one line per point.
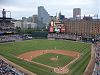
11 50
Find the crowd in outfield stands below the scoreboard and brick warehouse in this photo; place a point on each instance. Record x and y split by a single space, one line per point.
71 37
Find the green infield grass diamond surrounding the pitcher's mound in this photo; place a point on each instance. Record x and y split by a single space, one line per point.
45 59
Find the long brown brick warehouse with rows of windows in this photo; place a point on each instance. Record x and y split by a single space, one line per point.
84 27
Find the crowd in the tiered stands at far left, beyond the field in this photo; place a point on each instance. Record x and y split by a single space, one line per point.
7 28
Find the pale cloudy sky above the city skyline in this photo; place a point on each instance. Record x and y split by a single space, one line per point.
26 8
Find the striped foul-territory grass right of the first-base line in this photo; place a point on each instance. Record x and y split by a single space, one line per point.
80 65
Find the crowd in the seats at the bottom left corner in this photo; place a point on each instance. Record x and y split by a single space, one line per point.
7 69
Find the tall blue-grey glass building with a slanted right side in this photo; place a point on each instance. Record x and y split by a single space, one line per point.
43 17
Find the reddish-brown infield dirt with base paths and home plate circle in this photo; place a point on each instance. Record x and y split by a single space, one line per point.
28 56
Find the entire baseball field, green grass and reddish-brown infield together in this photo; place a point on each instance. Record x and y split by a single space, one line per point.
49 57
